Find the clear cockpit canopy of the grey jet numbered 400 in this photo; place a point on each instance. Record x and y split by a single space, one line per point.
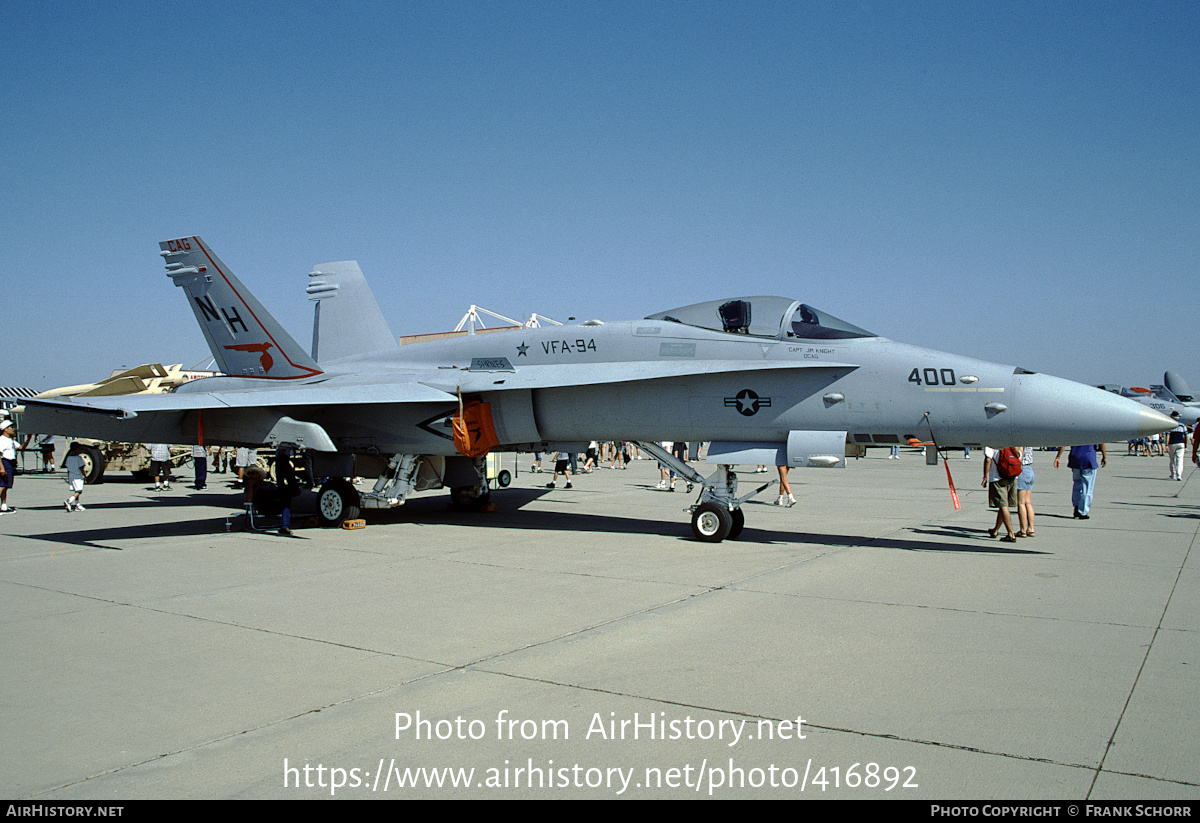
764 317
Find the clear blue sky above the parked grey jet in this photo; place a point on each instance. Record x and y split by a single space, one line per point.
1016 182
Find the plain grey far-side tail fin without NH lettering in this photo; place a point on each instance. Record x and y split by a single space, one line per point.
346 320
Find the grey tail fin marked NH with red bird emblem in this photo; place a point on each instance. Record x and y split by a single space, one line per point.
245 340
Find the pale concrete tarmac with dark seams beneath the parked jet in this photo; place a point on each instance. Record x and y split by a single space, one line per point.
871 642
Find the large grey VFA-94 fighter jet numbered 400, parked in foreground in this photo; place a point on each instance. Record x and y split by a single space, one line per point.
767 380
